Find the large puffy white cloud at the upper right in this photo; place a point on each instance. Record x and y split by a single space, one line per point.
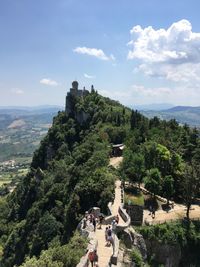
173 53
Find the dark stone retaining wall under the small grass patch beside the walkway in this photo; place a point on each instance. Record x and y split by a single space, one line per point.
136 213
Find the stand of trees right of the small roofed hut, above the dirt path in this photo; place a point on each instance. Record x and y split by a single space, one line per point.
164 156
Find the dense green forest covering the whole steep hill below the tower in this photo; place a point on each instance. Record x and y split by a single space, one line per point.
69 174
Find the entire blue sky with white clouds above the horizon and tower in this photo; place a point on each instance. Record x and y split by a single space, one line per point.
138 52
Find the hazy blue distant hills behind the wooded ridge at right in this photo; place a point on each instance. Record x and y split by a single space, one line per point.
183 114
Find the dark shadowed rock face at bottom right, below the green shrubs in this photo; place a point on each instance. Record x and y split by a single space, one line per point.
169 255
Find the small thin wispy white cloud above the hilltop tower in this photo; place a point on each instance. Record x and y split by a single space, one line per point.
98 53
